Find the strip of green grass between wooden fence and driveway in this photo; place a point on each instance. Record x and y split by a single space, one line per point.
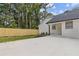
14 38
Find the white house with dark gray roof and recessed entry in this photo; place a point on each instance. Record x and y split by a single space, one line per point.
66 24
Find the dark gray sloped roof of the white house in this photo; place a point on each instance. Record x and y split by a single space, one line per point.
68 15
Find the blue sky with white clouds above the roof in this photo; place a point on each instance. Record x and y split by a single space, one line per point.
59 8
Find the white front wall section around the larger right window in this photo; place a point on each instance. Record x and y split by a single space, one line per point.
74 33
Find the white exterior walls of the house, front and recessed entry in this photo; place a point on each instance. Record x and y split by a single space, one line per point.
73 33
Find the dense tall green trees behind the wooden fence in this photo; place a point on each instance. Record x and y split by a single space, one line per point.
20 15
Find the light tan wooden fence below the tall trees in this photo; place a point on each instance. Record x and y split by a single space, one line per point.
17 32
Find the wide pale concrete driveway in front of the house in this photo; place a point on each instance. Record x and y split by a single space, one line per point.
43 46
